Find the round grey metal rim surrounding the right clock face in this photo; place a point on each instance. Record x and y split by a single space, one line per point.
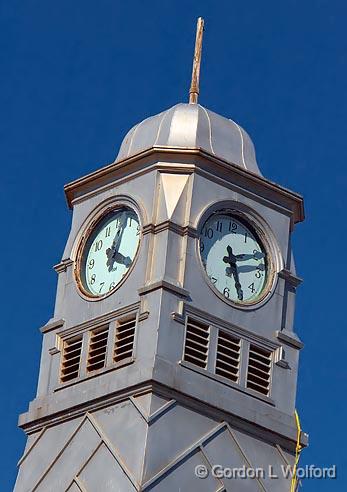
264 235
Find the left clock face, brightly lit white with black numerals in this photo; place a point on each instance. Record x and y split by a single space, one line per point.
109 251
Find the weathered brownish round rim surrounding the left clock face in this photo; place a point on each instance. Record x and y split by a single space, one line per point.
87 231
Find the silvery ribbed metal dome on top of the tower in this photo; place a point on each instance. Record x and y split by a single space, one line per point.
192 126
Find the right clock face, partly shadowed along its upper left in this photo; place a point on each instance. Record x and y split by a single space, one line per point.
234 258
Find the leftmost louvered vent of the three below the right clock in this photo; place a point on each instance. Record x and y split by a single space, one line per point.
196 345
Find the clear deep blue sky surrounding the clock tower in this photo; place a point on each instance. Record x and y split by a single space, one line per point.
76 75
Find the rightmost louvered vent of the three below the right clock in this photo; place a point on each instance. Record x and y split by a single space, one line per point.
259 369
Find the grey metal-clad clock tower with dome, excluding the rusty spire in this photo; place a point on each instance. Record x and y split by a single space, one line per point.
170 363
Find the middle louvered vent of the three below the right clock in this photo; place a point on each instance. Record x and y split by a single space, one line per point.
228 356
